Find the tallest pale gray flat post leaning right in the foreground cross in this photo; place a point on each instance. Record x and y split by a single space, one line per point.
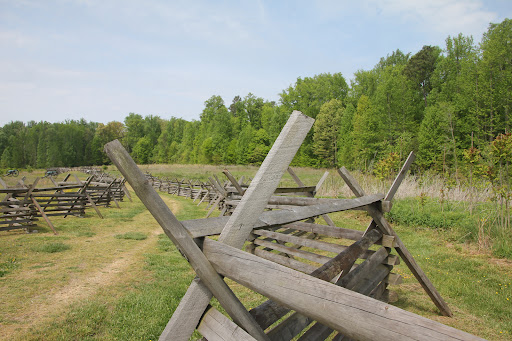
241 222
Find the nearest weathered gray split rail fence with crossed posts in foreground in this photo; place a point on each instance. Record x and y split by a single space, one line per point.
321 281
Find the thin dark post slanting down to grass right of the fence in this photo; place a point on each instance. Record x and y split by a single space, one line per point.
386 228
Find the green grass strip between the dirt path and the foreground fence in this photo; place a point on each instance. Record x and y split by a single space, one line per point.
139 313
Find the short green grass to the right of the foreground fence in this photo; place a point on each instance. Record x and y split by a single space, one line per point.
477 288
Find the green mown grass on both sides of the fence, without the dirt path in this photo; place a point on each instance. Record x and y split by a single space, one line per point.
476 286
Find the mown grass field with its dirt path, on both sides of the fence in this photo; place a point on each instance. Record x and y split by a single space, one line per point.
120 278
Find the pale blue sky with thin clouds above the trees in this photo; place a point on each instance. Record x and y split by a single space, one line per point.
101 60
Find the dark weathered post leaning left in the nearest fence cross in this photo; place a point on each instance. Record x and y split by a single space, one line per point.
178 234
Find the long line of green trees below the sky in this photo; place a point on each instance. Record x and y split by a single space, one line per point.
447 104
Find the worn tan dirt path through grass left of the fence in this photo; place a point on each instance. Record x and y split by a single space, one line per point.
123 268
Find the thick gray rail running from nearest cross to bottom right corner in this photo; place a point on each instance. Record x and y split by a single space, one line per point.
353 314
